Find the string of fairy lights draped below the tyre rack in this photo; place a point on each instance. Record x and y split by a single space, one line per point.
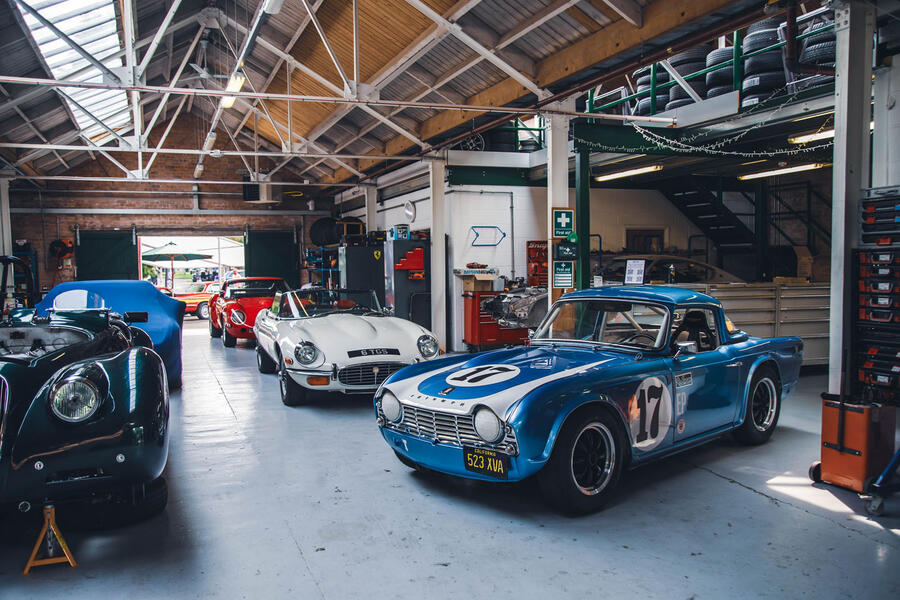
686 144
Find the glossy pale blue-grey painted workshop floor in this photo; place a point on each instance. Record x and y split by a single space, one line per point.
270 502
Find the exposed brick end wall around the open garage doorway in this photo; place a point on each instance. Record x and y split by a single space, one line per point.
41 229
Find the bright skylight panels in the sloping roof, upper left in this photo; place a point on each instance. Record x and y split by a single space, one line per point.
92 25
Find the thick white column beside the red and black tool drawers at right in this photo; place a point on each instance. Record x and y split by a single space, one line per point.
854 27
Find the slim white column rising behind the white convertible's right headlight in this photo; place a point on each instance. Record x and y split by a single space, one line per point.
437 173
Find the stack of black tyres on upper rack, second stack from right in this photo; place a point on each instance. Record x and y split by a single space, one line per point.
763 73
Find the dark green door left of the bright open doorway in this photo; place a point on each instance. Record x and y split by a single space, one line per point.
106 255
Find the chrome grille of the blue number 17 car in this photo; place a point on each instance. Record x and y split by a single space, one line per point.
446 428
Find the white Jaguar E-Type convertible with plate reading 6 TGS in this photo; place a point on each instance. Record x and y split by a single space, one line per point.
335 340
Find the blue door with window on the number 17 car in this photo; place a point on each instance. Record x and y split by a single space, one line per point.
706 383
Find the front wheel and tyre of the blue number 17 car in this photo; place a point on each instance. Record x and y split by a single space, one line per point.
584 470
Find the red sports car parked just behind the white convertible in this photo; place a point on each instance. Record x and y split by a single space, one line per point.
232 312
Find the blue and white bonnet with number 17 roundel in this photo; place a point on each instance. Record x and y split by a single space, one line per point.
500 378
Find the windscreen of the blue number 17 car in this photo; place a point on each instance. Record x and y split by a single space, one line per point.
630 324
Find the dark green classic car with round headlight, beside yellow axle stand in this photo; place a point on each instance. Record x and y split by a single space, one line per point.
84 410
